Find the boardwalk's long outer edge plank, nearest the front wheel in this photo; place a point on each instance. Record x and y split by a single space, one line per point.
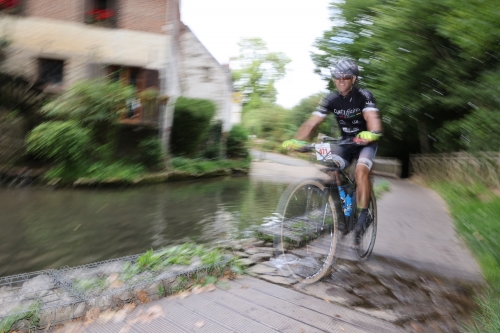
348 316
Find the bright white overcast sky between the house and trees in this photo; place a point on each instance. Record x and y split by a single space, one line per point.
287 26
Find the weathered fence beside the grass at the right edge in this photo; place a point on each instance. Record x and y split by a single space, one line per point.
483 167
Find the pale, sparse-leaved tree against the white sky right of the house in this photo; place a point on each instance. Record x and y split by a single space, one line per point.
258 71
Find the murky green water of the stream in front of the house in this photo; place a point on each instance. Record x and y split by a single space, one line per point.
48 229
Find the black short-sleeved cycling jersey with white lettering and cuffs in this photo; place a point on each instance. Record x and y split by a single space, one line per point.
348 109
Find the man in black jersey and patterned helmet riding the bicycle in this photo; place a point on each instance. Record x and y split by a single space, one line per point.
358 118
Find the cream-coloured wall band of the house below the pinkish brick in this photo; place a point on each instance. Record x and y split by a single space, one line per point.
81 46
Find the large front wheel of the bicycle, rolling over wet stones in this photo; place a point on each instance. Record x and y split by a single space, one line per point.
309 224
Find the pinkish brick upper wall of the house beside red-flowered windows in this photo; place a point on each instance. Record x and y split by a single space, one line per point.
140 15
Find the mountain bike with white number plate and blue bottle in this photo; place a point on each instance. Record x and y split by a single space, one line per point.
313 218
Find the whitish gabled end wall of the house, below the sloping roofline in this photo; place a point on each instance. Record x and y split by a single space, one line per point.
202 76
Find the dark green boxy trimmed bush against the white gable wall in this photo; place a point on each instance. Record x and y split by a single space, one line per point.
191 123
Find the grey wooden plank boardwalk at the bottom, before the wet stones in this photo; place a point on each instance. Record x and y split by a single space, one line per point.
242 305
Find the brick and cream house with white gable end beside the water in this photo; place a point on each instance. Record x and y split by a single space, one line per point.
61 42
